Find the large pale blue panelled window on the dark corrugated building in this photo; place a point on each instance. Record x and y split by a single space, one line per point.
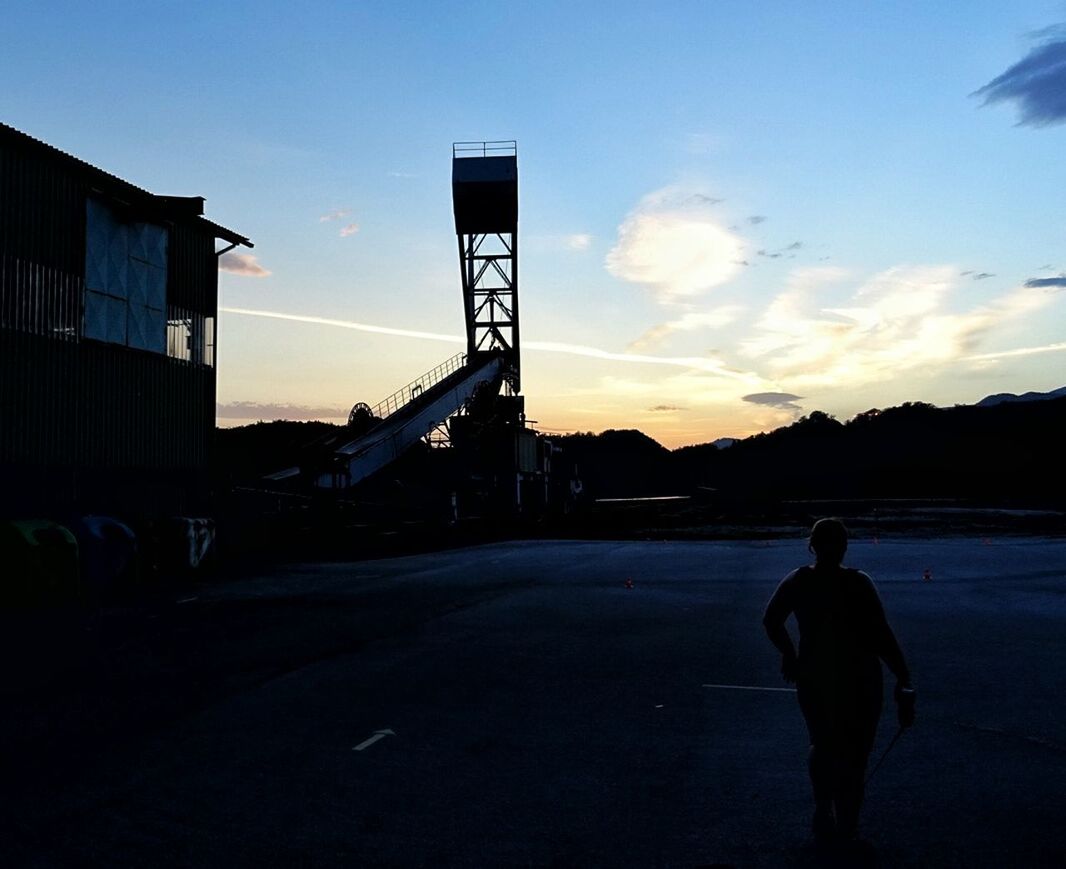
125 281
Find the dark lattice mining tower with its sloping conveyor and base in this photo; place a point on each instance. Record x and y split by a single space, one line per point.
470 405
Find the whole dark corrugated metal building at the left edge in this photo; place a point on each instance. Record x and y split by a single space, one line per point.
108 323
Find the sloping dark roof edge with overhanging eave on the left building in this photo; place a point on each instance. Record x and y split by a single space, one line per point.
189 210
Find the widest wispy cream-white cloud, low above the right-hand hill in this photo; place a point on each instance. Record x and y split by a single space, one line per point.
897 323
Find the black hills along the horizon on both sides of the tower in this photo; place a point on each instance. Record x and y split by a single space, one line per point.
1008 452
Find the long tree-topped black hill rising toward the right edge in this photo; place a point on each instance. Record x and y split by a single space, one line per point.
915 450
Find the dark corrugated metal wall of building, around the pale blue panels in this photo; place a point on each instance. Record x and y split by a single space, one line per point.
102 426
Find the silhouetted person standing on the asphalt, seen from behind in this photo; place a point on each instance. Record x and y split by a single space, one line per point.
844 638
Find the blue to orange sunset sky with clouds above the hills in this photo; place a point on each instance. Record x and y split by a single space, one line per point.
731 214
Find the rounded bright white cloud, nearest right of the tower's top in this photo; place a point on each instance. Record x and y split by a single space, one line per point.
673 245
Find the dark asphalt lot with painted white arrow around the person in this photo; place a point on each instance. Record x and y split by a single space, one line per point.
519 705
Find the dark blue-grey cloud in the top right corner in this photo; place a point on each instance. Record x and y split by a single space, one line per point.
1037 85
